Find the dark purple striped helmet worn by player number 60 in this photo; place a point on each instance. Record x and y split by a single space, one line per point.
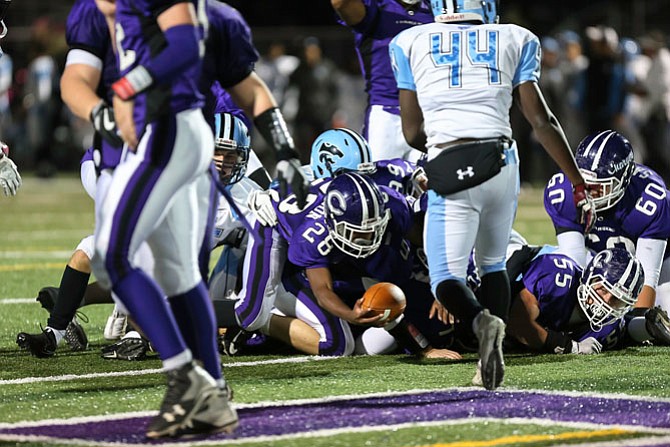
605 160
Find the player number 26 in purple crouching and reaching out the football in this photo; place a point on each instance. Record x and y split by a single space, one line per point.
318 255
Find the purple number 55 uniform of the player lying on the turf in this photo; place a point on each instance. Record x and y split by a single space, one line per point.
553 279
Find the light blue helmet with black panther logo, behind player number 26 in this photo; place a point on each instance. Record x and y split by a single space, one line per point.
338 150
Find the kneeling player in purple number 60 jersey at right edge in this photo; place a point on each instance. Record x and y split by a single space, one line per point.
633 212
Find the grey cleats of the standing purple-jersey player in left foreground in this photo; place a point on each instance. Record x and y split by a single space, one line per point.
192 405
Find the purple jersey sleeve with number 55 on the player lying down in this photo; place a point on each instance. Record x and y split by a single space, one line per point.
553 280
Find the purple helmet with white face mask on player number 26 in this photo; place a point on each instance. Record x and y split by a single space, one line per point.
356 214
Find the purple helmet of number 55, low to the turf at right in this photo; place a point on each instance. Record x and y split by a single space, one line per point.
609 286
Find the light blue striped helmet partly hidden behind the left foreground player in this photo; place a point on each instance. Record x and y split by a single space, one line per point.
231 147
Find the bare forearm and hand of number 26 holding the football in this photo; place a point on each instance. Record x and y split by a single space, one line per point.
321 282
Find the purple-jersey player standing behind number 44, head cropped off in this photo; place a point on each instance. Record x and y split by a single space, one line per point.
374 23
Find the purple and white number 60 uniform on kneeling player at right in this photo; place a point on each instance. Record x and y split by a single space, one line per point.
639 222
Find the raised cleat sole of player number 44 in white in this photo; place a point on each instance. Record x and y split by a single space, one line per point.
490 332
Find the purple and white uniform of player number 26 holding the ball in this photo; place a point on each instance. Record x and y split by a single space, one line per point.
302 238
